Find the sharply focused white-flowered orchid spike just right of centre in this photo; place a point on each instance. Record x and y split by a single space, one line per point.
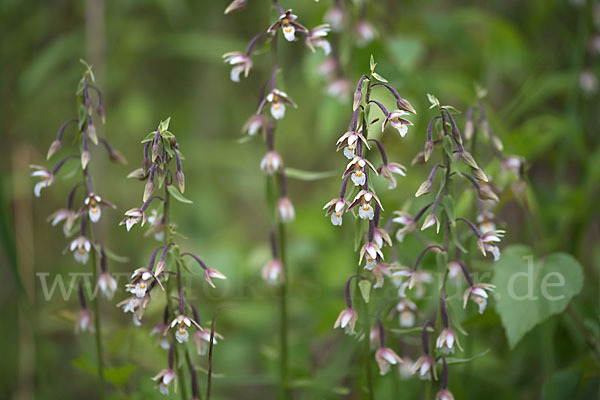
359 173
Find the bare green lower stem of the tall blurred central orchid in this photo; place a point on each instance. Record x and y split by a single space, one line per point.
283 314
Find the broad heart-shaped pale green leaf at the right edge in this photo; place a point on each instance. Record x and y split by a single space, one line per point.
529 290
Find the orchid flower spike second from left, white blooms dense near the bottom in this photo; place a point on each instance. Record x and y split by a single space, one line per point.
180 318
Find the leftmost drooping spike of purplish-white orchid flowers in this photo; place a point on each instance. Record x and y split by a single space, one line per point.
84 205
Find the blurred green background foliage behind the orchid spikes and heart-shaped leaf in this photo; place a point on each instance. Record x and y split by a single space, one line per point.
155 59
